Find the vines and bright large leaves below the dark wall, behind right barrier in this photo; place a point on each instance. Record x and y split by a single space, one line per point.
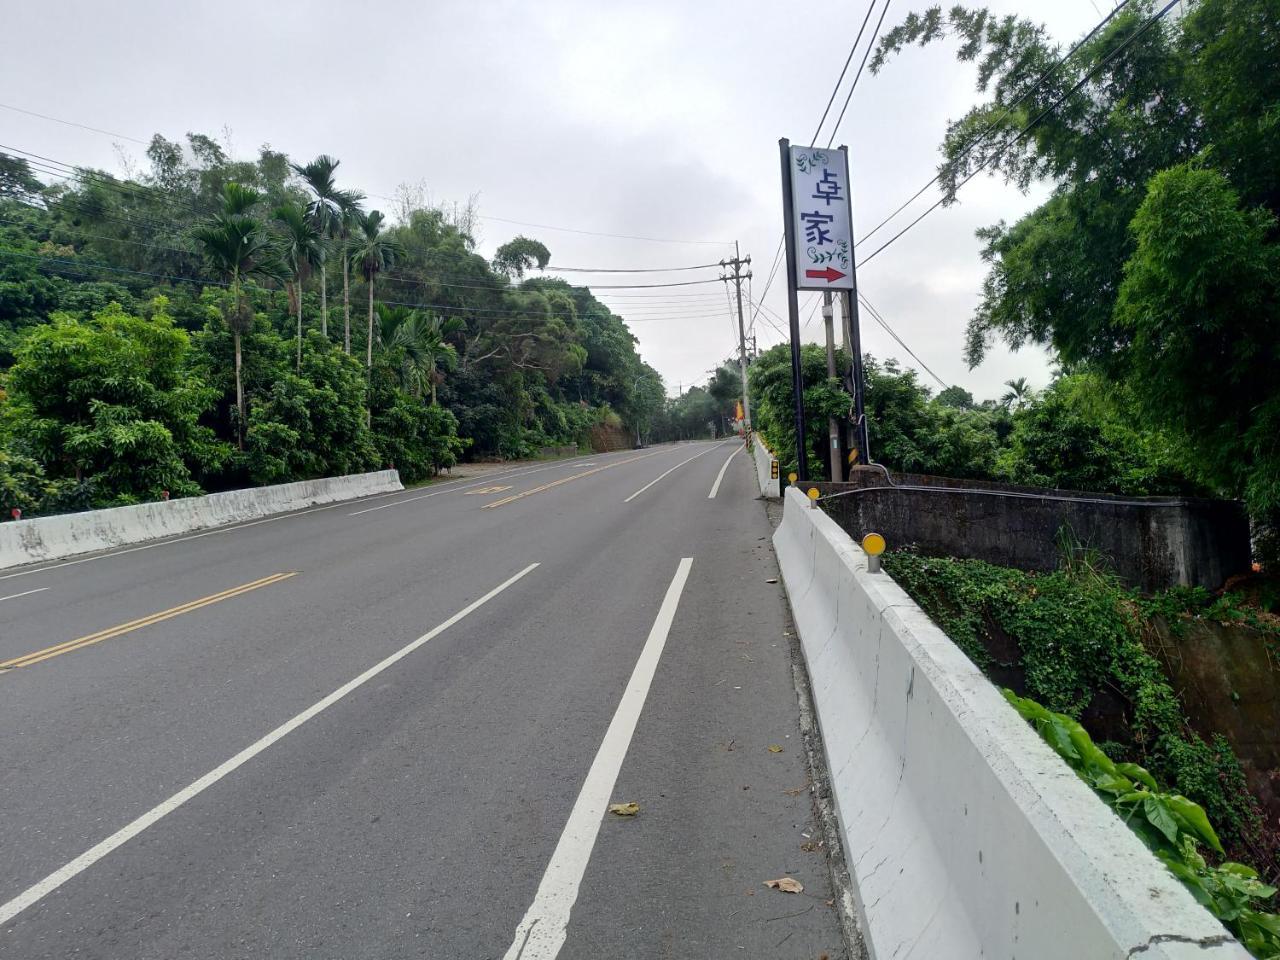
1072 647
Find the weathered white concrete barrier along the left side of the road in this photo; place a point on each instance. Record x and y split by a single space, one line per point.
72 534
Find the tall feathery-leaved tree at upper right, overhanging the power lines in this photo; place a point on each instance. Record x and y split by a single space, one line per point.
1154 259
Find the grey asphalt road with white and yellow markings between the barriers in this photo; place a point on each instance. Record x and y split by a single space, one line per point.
391 729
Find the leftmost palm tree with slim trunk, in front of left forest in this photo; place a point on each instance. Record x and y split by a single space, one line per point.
239 246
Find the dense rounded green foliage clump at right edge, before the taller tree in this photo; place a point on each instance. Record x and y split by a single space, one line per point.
1201 307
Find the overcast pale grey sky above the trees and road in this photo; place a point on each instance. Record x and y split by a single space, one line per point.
652 120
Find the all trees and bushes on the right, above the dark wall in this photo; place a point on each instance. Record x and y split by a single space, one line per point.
1150 273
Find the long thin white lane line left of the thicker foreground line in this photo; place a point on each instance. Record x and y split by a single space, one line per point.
36 893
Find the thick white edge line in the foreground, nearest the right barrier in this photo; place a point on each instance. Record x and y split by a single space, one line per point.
545 927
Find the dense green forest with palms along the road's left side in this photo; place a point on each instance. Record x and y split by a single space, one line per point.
212 323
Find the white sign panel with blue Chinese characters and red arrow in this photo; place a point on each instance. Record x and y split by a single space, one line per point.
822 221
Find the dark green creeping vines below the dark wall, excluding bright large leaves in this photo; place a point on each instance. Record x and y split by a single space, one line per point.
1078 633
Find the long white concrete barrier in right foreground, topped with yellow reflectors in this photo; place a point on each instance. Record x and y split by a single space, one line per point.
967 836
